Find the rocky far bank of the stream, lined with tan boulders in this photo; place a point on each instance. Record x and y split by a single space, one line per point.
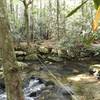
50 52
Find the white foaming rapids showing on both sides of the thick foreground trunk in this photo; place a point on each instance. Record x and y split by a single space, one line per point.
32 88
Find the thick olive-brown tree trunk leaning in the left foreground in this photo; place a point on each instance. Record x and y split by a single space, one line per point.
11 73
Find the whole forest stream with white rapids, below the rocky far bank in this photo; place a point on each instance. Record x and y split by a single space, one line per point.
38 84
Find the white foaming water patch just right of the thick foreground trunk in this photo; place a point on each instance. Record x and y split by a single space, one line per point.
33 87
